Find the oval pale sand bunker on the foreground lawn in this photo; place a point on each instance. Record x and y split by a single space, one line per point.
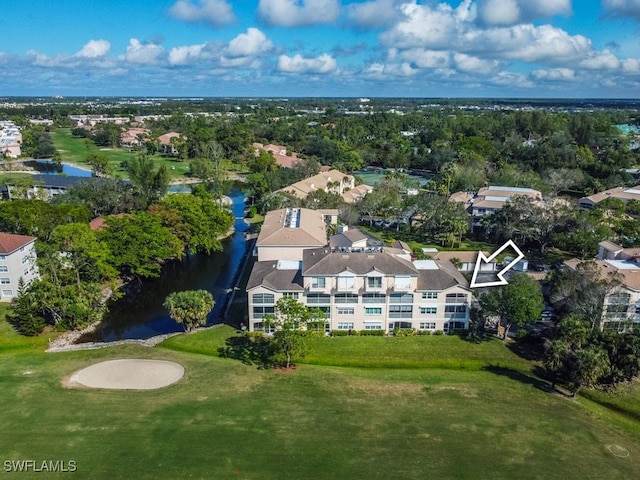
128 374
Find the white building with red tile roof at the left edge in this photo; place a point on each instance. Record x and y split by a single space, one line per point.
17 260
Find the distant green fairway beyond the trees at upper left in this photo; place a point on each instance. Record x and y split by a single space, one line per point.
74 150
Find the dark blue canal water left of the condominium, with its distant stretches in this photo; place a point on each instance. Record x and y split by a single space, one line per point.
139 314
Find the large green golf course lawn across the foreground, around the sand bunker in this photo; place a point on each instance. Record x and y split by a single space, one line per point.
223 420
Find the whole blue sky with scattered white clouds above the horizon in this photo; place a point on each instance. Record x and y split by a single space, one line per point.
372 48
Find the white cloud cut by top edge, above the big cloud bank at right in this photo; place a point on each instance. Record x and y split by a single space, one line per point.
511 12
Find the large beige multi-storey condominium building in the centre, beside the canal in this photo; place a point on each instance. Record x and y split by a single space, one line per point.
356 282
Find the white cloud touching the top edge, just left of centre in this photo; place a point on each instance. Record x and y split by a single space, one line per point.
298 13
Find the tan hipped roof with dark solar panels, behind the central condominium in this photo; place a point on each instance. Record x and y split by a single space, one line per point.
310 232
